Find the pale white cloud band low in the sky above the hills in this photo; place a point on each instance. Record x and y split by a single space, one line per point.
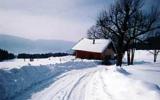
36 27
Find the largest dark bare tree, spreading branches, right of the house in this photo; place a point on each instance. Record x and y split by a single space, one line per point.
126 22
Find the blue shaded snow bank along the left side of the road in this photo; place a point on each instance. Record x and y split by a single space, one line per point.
14 81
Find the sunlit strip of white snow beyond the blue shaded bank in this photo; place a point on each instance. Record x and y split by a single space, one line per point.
18 63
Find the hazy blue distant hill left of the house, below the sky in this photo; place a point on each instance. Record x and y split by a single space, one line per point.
21 45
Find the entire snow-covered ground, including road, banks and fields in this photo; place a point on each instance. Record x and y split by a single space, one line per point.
67 78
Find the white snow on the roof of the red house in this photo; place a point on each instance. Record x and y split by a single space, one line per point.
87 45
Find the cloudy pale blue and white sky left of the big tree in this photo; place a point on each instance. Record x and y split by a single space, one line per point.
50 19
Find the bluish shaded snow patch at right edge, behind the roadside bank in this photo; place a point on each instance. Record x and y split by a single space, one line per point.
146 72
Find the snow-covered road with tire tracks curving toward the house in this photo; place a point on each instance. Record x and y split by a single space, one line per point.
70 87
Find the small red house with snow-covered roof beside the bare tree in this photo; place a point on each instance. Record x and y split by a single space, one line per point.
94 49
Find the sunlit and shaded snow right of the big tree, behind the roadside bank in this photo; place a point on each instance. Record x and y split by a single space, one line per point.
144 68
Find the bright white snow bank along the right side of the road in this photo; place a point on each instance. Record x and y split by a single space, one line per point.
114 84
